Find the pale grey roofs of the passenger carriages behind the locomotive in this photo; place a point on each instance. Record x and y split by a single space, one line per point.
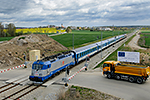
78 50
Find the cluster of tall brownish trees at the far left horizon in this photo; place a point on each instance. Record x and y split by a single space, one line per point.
10 30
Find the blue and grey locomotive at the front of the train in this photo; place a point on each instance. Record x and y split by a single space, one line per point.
45 68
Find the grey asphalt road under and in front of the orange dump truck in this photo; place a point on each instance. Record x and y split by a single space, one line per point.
119 88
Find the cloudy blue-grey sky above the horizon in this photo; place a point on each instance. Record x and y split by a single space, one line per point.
34 13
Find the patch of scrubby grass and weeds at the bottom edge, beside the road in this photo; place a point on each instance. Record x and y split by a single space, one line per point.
82 93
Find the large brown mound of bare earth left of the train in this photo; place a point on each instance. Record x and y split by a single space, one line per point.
12 52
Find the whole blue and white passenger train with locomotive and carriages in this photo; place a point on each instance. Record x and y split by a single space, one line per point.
45 68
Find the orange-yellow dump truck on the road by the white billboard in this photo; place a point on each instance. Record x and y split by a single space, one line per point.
132 73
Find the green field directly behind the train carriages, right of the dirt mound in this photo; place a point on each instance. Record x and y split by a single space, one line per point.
84 36
